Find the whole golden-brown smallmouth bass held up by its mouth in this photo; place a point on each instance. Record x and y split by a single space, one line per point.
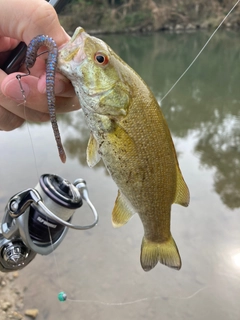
130 134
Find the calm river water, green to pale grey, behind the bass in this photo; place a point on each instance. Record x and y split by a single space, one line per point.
99 269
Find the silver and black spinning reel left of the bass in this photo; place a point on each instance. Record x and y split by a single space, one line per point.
36 220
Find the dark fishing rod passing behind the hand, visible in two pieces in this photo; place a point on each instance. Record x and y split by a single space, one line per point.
17 55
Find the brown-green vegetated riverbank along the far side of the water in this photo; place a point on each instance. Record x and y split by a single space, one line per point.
114 16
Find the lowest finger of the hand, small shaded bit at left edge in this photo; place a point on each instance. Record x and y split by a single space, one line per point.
8 120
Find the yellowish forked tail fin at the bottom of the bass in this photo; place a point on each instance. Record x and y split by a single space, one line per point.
163 252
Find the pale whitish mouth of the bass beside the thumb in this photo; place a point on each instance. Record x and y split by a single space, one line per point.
73 51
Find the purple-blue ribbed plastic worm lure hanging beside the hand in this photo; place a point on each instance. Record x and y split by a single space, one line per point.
31 55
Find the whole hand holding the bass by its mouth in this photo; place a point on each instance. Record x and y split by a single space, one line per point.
29 19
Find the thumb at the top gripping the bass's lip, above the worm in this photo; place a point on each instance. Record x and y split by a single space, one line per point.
36 17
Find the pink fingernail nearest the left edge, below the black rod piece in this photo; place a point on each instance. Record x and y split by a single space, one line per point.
13 90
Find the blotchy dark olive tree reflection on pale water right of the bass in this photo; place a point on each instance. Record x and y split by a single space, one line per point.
219 147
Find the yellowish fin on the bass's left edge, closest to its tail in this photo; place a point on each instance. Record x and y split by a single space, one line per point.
122 211
